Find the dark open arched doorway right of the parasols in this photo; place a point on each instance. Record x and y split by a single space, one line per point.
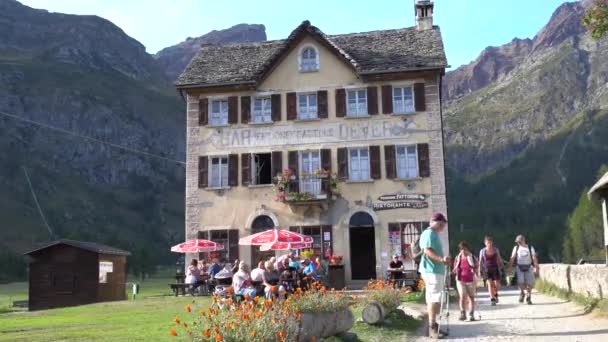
362 240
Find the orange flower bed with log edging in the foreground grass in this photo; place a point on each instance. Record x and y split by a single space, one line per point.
303 316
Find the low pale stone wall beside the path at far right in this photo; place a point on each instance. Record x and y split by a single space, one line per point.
589 280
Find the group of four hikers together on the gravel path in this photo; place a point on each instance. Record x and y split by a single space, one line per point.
468 269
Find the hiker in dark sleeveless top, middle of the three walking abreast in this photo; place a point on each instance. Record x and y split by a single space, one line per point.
491 267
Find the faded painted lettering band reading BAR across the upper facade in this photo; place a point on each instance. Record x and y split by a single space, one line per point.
311 133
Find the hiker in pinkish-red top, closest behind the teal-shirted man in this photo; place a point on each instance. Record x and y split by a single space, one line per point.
465 266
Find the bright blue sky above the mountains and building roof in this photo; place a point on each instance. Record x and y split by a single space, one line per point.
468 26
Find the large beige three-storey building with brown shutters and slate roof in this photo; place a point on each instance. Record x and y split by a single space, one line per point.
352 123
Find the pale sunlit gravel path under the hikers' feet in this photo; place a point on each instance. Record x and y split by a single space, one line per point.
548 319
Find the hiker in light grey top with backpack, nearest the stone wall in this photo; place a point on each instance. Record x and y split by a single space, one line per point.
524 258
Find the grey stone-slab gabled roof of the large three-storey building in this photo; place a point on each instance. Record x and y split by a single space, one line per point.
371 52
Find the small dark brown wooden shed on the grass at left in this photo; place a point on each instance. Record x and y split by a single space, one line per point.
67 273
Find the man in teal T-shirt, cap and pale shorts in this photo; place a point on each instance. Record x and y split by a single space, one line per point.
433 269
